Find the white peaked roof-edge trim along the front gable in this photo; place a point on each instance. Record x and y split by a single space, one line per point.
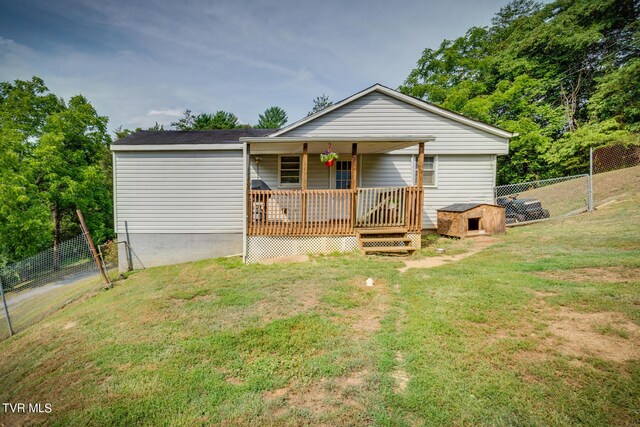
403 99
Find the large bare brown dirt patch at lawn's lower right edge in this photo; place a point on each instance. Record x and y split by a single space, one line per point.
579 336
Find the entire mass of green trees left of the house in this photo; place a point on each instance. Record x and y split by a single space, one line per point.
54 159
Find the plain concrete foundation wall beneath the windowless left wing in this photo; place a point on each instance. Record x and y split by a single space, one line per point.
151 250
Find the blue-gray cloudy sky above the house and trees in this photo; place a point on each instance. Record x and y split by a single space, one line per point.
141 62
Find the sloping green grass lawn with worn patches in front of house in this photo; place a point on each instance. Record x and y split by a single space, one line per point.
540 328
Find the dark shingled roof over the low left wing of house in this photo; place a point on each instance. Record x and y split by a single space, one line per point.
168 137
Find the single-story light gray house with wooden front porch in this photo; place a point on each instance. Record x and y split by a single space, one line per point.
181 196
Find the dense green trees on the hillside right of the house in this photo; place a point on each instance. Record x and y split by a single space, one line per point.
563 75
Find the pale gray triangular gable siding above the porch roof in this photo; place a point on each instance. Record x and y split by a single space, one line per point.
377 114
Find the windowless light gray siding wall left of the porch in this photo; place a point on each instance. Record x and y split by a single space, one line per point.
179 192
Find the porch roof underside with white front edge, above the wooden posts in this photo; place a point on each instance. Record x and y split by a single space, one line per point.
339 145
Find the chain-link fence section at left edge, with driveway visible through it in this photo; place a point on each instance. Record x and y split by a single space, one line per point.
45 282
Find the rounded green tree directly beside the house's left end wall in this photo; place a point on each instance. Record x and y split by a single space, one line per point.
70 172
